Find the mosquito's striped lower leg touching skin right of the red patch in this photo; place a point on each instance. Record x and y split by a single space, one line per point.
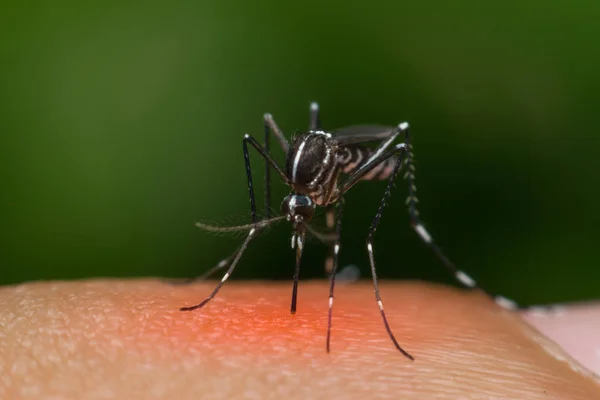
370 235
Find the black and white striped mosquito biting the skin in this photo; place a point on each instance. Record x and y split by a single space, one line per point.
320 168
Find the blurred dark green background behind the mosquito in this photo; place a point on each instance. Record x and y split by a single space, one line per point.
121 126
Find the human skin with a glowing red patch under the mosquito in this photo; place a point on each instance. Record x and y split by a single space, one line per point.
127 339
